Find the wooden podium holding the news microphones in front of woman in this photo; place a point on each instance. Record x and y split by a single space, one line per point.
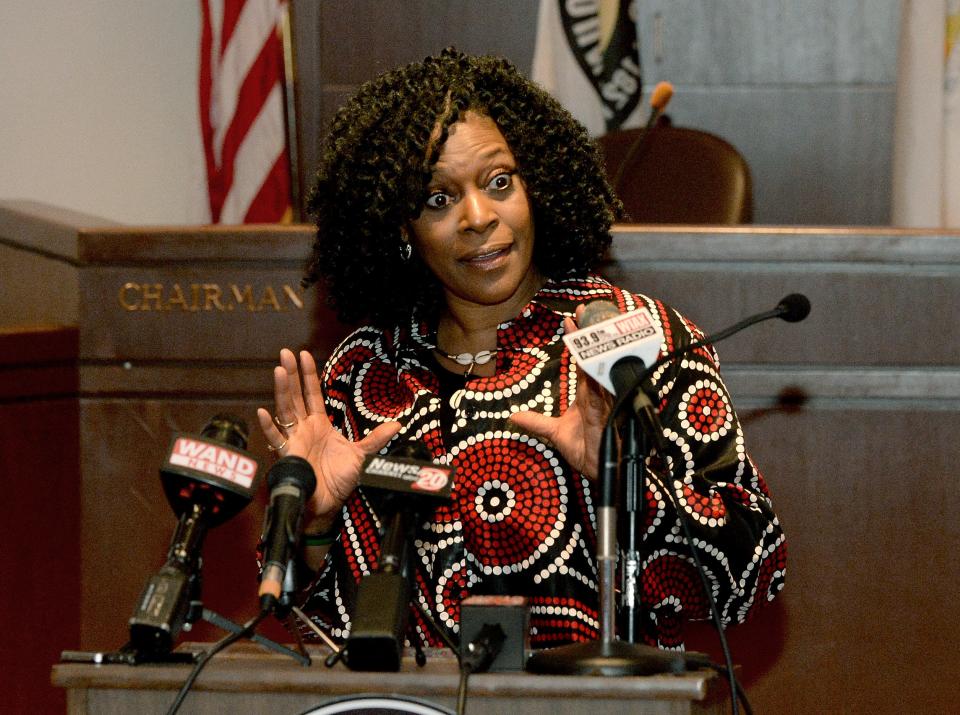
245 680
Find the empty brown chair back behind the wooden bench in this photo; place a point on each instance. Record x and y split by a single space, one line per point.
678 175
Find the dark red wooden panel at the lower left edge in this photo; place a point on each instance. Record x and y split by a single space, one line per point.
40 479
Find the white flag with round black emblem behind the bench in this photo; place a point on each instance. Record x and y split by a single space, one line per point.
586 56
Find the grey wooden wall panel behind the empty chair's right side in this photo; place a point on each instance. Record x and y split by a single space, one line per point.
804 89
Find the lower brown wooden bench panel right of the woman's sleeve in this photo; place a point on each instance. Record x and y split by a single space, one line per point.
867 497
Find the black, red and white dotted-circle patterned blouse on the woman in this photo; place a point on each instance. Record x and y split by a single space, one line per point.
521 520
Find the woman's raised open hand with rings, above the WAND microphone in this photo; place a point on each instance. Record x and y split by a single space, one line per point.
336 461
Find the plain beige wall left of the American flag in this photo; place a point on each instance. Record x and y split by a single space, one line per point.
98 108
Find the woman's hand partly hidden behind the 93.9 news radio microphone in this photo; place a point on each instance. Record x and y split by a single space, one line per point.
577 432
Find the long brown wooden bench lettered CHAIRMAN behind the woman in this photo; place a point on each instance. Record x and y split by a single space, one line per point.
852 416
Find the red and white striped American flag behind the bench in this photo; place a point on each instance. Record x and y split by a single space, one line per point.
242 111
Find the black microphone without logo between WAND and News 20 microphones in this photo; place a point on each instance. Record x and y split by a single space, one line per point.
291 482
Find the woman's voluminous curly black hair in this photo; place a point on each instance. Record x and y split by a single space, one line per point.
375 168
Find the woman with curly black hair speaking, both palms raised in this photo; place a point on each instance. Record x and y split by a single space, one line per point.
460 211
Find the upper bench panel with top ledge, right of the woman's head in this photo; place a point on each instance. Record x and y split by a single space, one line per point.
880 298
